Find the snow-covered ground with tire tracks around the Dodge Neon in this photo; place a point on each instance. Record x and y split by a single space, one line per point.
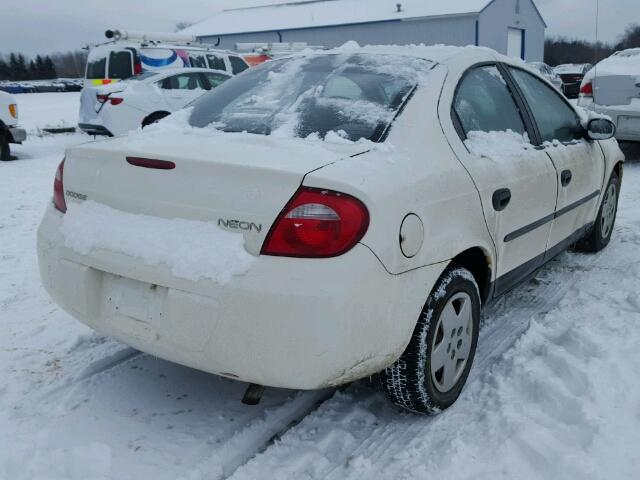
554 393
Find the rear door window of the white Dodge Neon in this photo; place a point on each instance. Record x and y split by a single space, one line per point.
484 103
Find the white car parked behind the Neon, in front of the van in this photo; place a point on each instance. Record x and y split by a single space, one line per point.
144 99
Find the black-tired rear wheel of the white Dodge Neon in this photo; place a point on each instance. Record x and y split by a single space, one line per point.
410 382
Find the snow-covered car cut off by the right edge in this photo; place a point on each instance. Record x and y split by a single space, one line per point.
612 88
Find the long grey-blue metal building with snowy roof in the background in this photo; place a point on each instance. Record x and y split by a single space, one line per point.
512 27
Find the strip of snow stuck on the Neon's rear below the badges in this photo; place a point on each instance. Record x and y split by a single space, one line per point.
193 250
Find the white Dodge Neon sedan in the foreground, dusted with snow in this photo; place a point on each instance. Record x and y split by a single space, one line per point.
322 218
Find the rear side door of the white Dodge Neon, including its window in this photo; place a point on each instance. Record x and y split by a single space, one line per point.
517 188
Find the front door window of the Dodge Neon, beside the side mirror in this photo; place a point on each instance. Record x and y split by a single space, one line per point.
556 120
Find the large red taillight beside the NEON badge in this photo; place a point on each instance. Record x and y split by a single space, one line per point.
317 224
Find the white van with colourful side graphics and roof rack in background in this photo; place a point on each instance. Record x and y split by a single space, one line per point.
131 53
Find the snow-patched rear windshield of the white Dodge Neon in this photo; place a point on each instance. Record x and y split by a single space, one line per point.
355 95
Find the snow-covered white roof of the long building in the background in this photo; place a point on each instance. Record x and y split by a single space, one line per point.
324 13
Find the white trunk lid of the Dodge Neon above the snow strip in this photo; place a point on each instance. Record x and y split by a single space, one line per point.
239 182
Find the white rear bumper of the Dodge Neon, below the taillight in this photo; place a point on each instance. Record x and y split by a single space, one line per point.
289 323
